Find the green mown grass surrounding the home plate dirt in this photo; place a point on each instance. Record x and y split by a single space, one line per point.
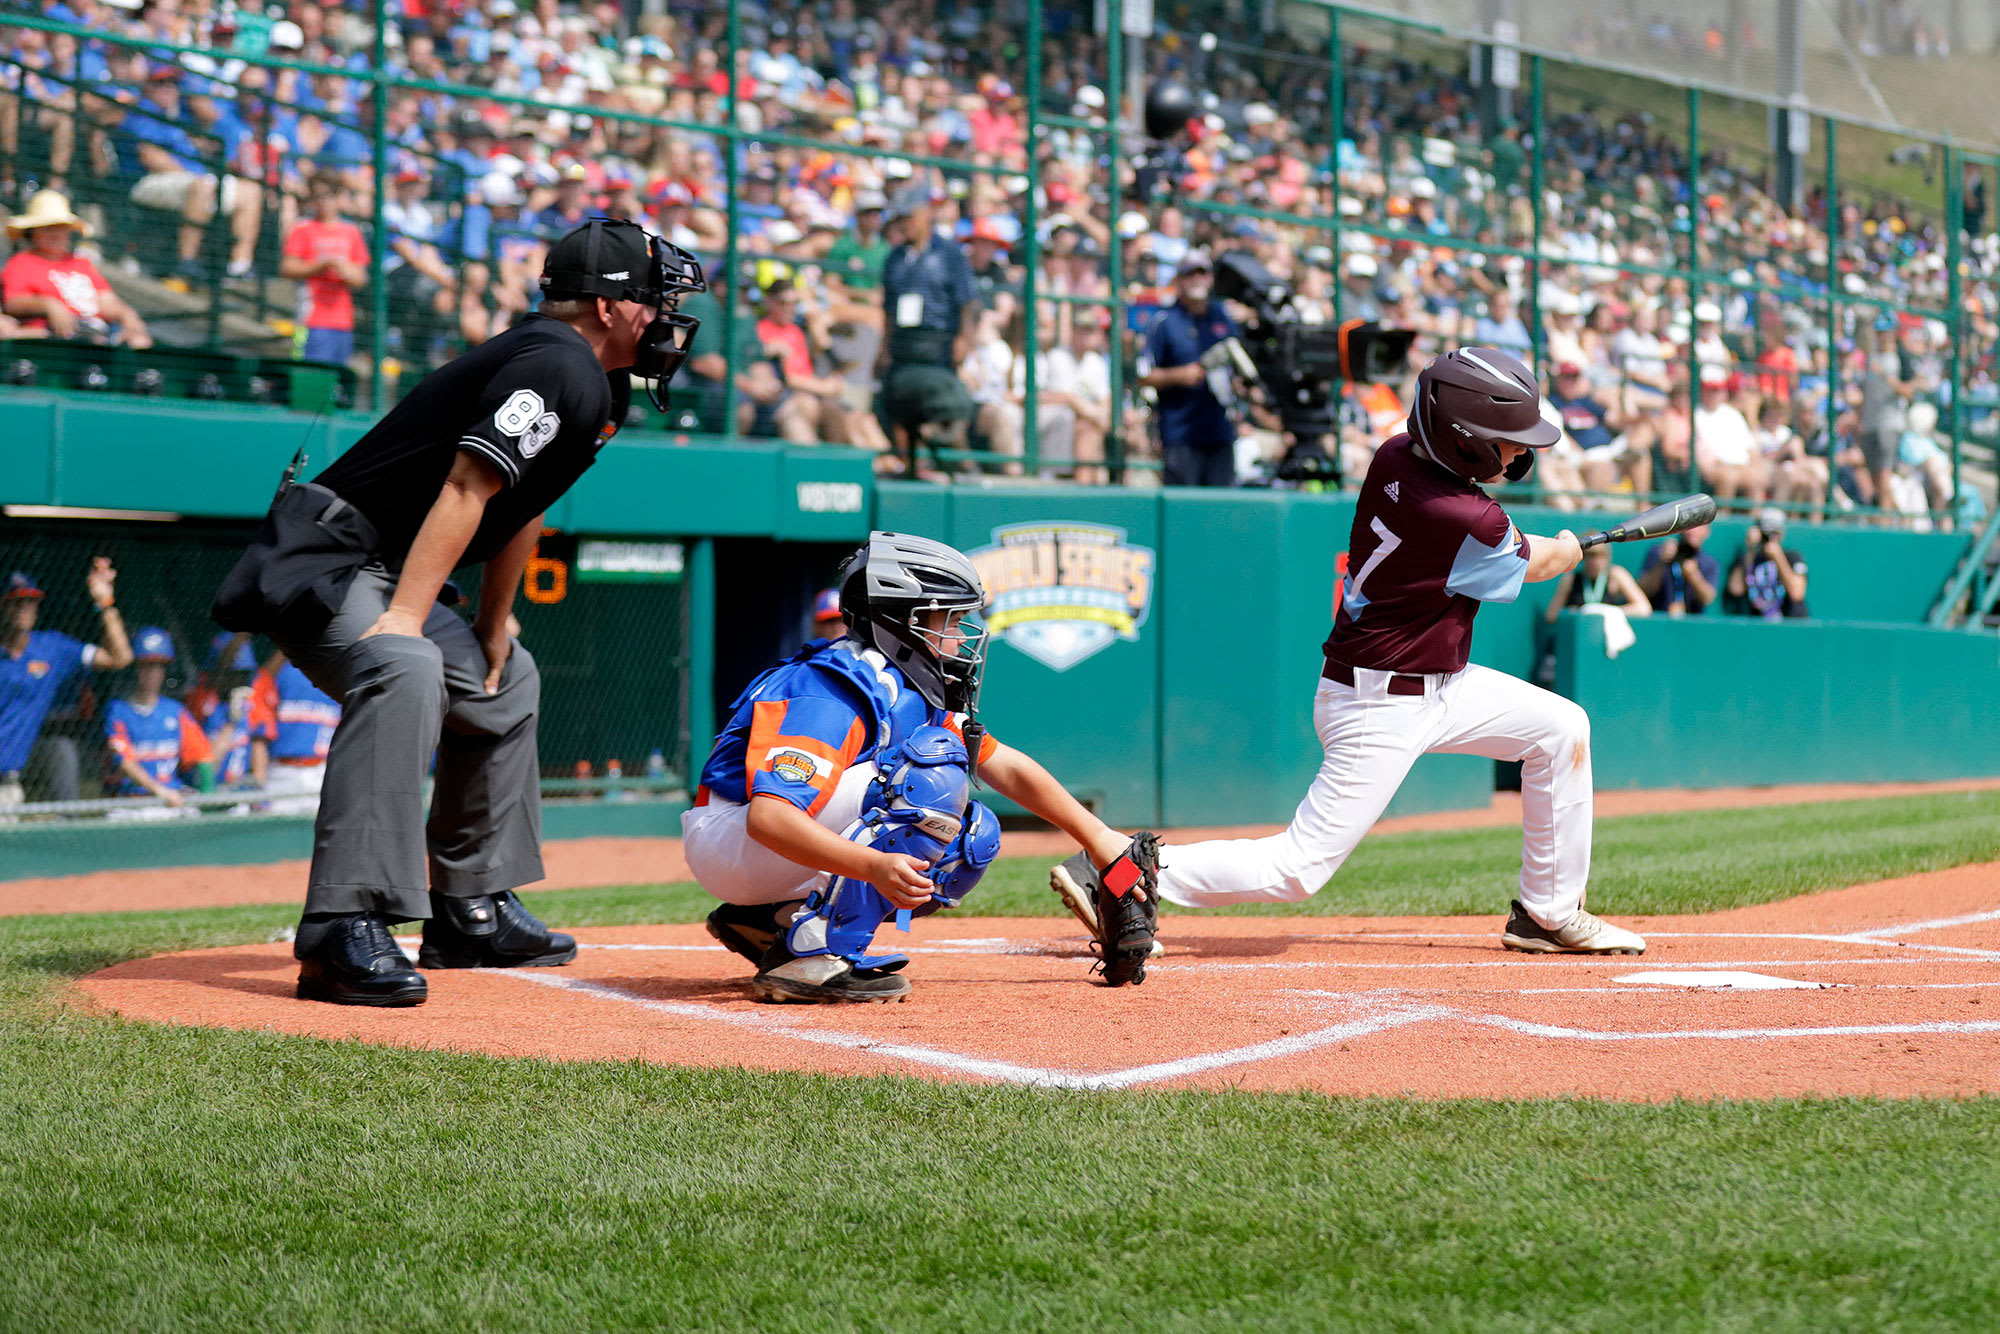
177 1179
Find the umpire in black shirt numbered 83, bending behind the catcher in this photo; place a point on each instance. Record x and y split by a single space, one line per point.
351 575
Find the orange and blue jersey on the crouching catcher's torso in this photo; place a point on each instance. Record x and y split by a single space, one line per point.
801 725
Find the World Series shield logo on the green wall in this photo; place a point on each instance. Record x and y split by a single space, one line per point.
1063 593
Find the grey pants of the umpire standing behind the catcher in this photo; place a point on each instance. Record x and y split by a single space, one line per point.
401 699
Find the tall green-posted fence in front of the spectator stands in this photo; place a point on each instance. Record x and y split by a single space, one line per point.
393 185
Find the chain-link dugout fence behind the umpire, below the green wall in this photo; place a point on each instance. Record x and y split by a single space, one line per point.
91 699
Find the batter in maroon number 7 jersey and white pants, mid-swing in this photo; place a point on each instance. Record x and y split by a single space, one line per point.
1429 549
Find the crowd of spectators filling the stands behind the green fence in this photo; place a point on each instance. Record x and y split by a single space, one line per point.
1723 385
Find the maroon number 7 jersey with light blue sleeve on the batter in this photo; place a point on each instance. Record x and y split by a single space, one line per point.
1427 549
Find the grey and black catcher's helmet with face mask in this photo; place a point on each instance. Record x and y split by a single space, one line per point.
891 585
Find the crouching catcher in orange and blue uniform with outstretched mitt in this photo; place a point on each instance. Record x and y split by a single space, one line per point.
841 789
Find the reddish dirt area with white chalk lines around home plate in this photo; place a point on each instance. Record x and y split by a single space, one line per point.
1877 989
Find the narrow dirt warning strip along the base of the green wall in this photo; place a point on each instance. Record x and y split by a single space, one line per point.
589 863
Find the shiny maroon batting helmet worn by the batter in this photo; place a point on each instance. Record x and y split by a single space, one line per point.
1473 401
